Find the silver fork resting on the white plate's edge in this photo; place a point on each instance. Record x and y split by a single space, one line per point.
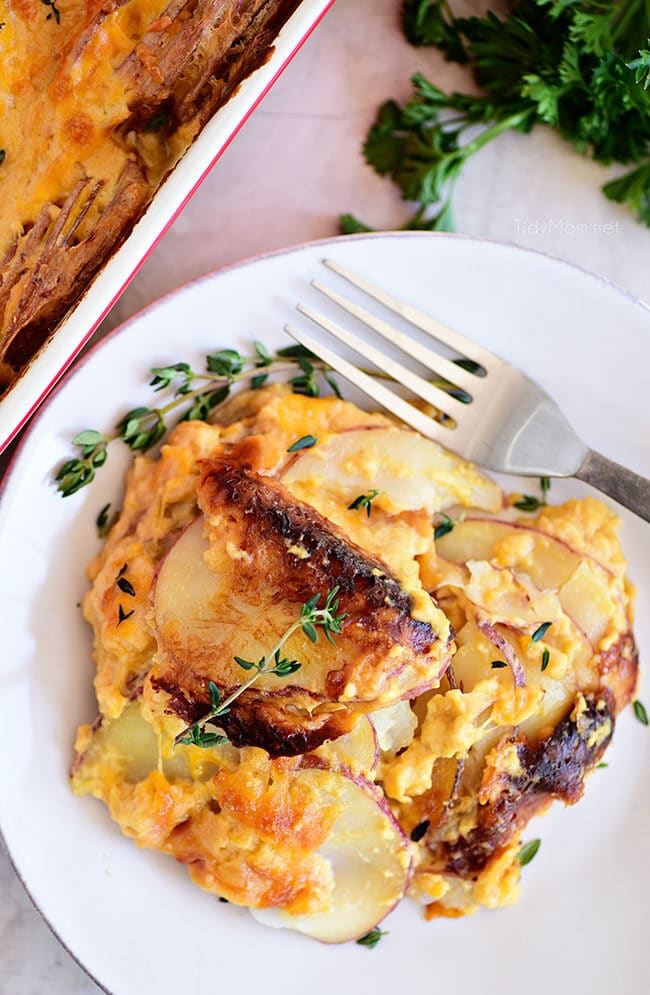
493 414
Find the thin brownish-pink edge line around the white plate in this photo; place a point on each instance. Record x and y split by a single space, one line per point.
77 365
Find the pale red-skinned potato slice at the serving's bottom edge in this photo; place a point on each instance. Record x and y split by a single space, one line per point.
370 856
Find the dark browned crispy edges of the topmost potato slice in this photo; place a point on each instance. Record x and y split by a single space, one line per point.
378 609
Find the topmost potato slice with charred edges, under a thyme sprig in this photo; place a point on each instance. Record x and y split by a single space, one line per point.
237 591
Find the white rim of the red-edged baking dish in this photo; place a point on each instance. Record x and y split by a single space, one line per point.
17 406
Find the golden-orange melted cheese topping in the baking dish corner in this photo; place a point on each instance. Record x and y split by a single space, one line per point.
62 97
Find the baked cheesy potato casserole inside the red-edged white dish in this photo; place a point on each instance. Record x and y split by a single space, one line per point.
98 102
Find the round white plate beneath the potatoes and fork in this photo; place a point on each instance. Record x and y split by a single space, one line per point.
132 917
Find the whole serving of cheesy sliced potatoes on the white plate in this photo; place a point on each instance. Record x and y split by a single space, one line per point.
477 676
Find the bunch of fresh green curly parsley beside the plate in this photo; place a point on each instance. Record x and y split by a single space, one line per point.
581 68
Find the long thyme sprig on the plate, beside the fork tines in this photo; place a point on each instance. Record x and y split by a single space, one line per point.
200 392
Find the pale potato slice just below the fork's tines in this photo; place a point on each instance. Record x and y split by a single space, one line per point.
411 472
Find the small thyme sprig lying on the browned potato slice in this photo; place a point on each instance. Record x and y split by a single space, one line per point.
311 619
